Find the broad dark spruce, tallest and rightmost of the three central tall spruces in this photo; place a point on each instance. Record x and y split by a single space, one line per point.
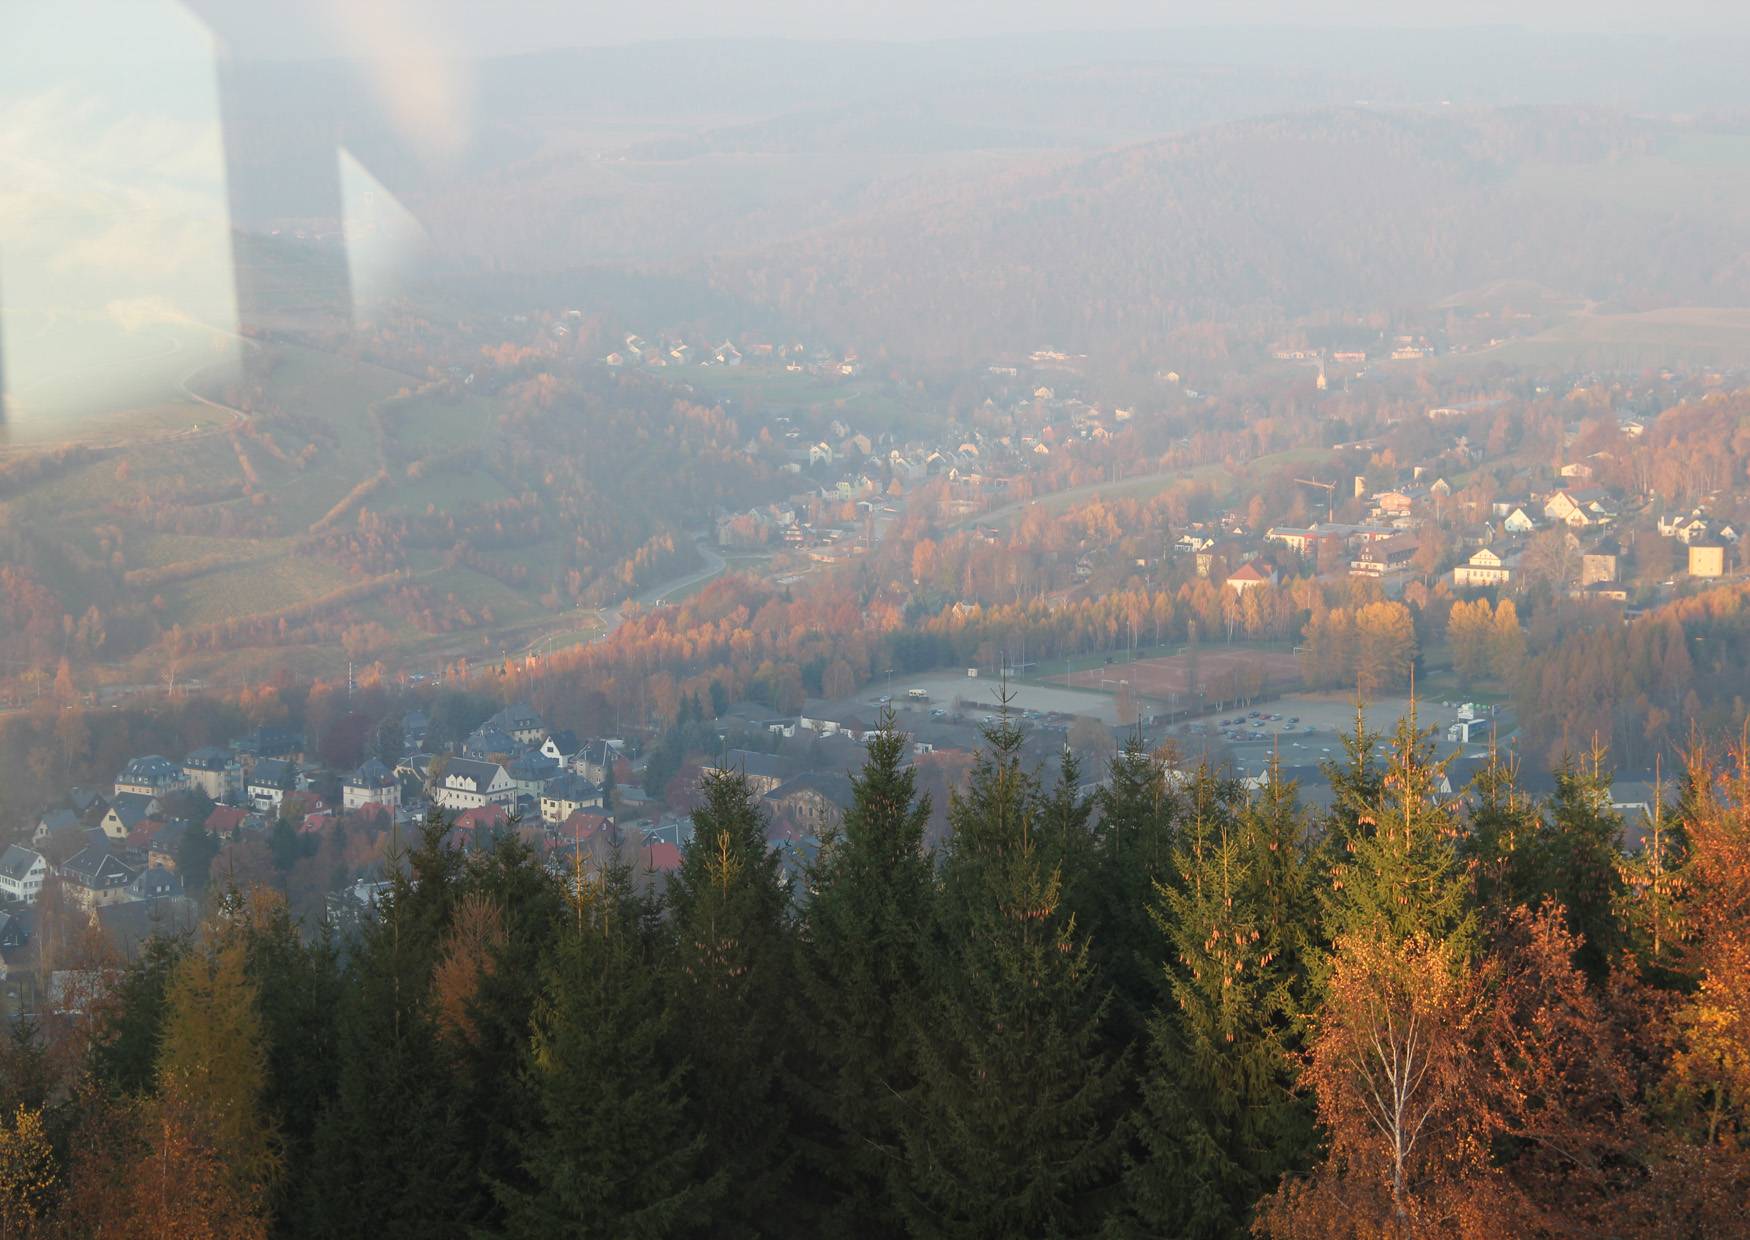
1007 1131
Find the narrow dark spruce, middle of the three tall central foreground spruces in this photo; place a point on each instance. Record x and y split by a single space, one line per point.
862 970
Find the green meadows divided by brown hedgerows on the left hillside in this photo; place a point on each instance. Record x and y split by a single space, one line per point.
158 456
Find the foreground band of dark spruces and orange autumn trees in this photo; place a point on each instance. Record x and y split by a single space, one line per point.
1170 1010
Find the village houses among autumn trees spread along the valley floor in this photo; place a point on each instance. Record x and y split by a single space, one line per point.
1443 503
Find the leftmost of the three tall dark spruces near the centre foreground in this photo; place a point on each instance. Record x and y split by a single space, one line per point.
731 980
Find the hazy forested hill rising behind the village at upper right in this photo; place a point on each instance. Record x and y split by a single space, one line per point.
1338 209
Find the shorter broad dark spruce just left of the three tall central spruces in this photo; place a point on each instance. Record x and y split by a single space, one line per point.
608 1150
